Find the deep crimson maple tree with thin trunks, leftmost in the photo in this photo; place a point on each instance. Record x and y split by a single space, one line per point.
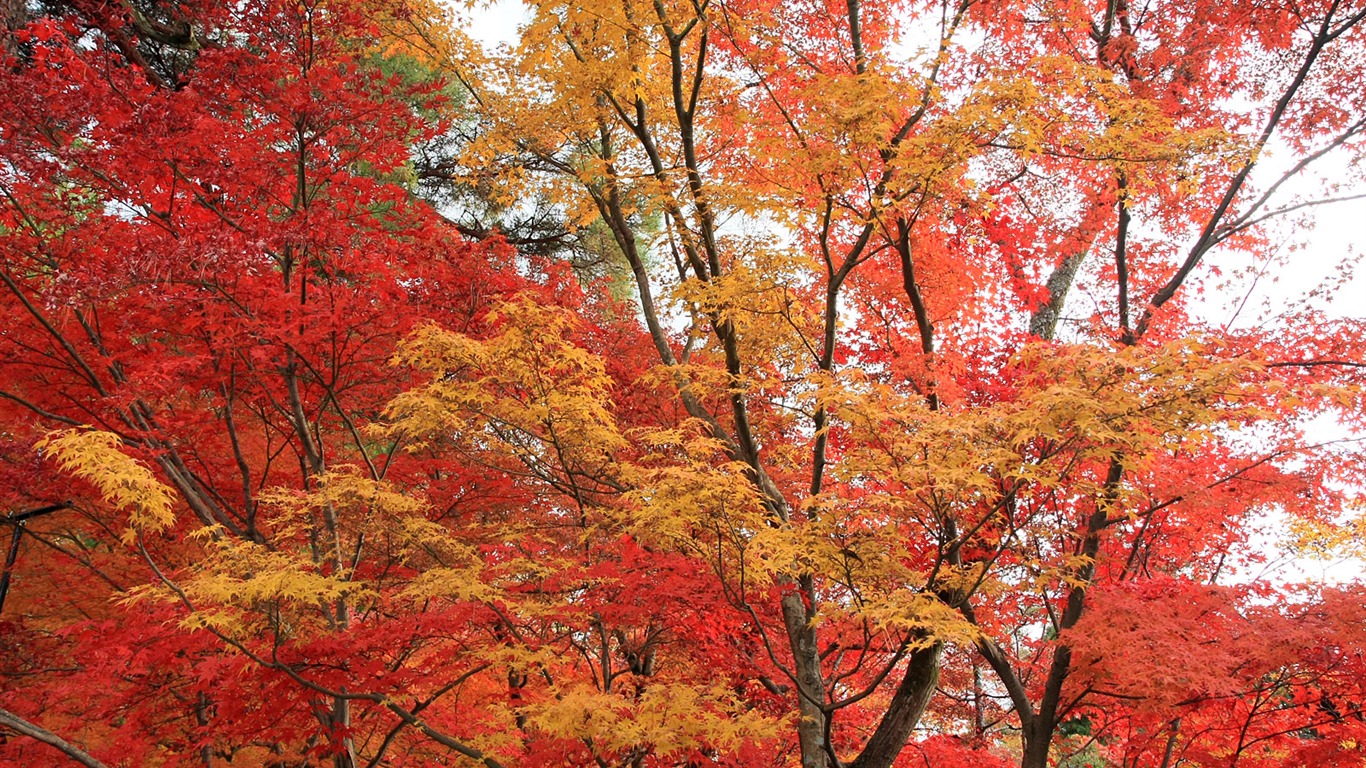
208 277
